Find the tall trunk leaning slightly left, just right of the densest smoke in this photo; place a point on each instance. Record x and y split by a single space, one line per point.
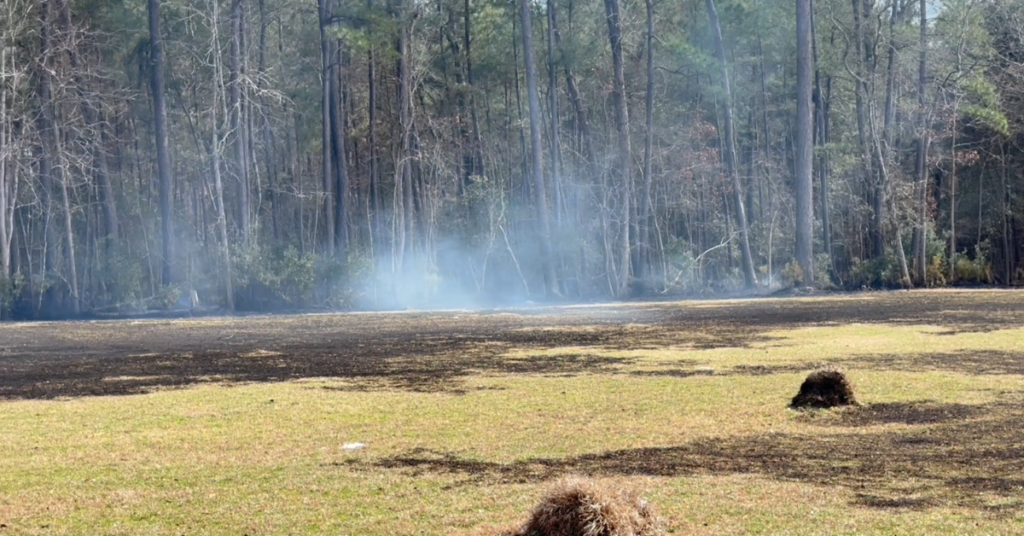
540 192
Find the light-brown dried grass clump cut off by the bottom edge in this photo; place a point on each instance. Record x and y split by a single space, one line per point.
577 507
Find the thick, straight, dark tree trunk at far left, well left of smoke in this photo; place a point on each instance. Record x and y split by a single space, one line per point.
163 152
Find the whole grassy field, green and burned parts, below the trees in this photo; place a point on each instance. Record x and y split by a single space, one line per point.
238 426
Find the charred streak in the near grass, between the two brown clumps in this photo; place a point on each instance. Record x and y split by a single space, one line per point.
955 457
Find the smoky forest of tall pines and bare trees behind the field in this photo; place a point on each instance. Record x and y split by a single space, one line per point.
269 155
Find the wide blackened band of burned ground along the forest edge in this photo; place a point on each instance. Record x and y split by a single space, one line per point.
433 351
